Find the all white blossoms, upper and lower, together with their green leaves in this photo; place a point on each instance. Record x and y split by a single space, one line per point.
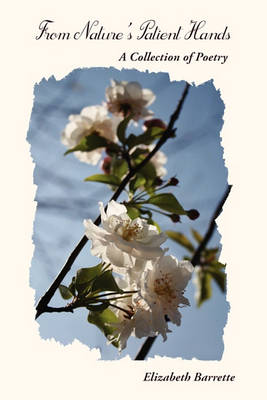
147 287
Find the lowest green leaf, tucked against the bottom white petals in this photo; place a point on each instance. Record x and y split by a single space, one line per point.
103 320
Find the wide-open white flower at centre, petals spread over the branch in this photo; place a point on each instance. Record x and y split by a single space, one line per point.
122 241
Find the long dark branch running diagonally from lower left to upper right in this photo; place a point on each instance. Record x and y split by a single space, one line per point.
42 305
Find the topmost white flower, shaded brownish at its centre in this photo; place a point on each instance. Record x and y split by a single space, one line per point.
129 97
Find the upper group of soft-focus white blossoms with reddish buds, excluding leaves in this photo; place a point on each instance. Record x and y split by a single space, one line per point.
122 99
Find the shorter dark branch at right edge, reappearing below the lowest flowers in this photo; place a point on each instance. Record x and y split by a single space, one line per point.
145 348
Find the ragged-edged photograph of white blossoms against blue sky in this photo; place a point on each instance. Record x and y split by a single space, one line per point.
130 176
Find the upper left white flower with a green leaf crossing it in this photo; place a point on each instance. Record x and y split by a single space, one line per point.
91 119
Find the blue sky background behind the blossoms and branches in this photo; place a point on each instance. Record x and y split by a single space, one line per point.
195 156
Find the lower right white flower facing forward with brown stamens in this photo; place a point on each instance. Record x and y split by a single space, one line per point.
163 284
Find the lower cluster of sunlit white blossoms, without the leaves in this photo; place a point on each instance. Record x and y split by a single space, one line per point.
132 248
